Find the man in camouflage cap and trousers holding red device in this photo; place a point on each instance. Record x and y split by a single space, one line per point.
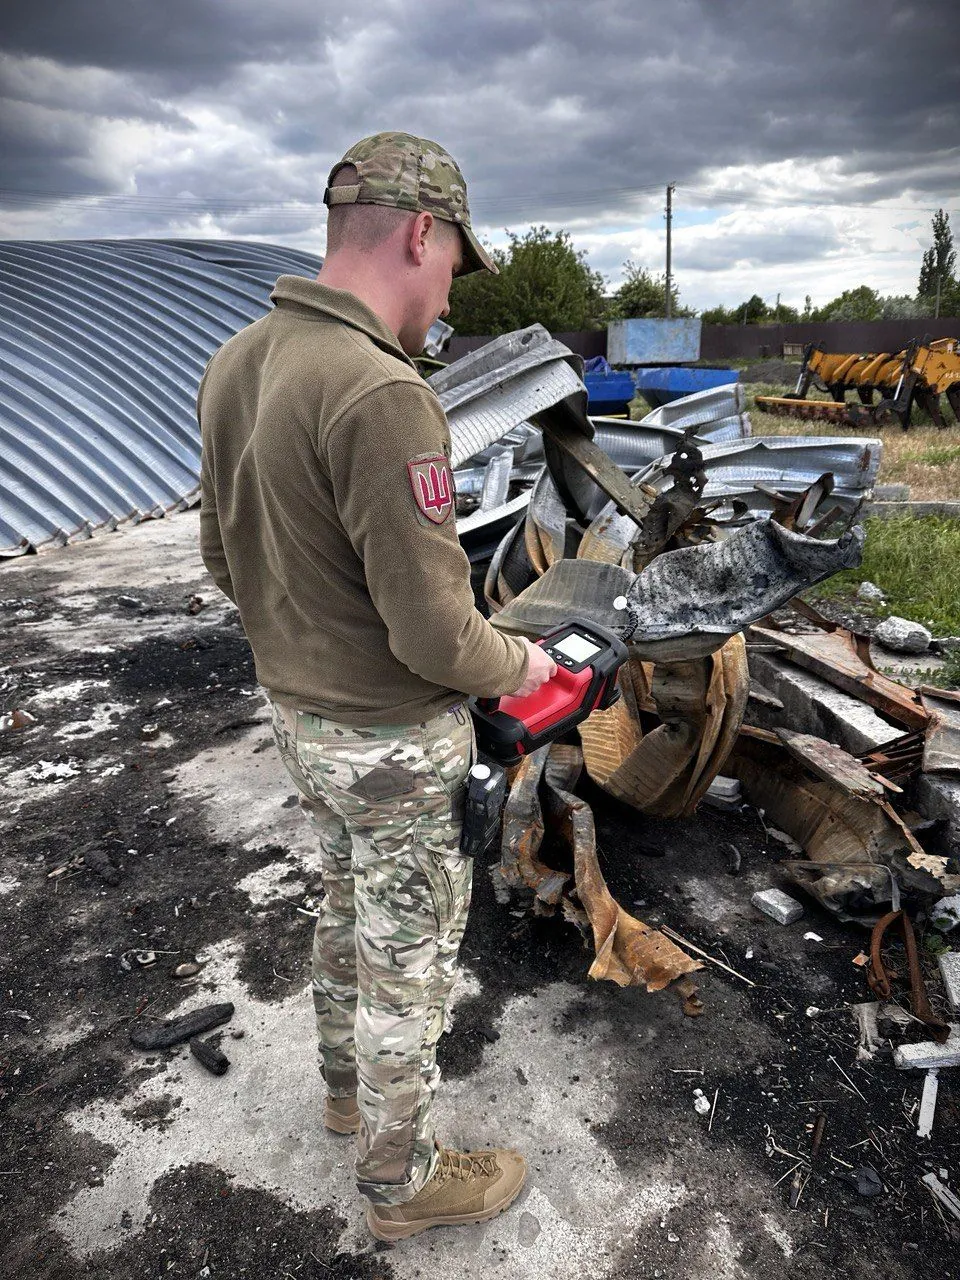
327 516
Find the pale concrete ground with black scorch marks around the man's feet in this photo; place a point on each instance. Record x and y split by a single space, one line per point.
147 821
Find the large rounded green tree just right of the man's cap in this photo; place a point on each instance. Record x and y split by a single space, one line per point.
543 281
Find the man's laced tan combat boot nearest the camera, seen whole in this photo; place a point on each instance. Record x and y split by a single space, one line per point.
467 1187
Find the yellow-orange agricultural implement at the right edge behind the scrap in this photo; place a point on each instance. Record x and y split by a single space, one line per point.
920 376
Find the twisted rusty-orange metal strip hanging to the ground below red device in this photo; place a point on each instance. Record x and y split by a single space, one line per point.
629 952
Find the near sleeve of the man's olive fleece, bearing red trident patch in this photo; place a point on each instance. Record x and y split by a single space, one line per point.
417 572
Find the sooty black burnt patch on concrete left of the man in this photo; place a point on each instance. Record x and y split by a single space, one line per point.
107 880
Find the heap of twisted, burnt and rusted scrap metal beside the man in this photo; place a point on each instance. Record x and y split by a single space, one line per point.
687 546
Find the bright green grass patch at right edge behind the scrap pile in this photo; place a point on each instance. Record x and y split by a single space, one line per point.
915 563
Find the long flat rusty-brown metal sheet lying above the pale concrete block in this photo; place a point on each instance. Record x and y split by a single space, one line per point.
844 660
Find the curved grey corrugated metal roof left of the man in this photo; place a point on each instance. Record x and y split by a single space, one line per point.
103 345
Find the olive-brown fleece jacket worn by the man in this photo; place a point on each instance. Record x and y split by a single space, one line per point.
356 606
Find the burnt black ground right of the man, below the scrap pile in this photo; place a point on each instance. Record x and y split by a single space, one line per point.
772 1067
